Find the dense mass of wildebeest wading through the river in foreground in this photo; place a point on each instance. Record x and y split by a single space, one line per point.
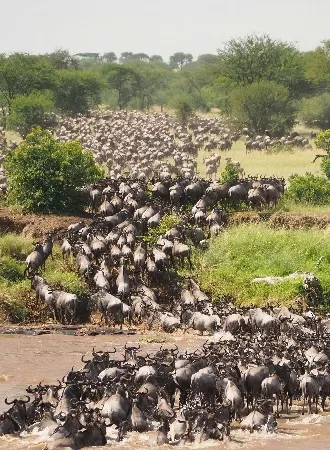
246 376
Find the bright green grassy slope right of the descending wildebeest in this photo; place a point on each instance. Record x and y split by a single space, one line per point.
245 252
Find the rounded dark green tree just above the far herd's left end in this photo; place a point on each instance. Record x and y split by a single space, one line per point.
76 91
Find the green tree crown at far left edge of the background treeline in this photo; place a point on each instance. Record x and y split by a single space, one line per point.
22 74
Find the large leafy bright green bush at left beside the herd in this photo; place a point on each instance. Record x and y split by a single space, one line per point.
43 174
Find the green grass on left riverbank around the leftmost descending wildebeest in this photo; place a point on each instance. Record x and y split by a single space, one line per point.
17 300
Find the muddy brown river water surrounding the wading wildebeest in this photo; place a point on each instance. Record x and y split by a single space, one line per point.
46 358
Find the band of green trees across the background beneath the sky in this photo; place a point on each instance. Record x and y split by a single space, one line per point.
249 78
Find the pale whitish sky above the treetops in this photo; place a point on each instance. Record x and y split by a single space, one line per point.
160 27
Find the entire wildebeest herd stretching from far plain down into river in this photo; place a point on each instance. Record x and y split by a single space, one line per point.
255 361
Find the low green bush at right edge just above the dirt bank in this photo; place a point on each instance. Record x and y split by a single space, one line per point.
309 188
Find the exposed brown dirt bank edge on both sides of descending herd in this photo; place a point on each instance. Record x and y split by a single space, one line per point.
35 225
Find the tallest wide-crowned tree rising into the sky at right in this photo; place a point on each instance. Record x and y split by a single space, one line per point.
256 58
